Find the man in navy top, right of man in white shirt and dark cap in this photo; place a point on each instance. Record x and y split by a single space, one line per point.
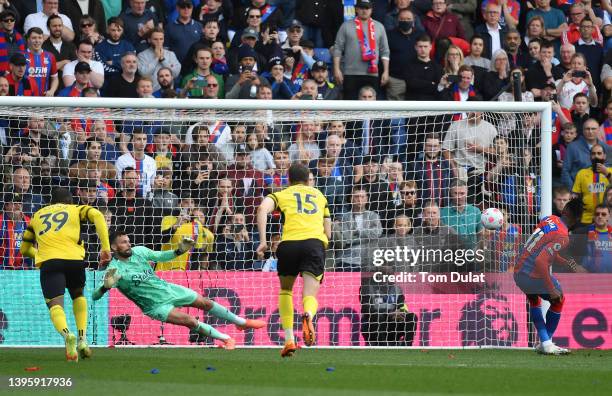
109 51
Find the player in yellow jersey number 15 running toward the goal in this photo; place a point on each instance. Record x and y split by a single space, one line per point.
306 232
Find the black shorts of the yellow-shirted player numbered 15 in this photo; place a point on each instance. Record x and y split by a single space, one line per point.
295 257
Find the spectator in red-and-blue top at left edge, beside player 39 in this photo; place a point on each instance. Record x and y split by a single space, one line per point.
13 223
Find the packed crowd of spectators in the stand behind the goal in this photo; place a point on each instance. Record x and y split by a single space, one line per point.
425 178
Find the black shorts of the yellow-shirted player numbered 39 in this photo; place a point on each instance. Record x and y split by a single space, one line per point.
57 275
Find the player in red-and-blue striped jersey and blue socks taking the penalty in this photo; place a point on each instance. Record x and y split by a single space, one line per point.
532 272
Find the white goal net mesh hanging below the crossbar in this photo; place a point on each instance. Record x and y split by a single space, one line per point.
397 183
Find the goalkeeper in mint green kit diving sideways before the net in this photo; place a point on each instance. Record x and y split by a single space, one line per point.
130 271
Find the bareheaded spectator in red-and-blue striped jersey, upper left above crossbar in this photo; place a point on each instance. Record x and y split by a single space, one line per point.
41 64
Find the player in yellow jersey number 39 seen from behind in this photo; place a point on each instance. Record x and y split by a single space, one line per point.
56 230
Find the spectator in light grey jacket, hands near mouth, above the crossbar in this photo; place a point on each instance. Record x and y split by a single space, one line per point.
156 56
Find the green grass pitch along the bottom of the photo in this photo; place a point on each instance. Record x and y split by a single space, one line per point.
187 372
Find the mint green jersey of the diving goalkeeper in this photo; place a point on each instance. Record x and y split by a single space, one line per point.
138 282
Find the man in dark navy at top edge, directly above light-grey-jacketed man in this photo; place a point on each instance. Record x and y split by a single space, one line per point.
139 22
